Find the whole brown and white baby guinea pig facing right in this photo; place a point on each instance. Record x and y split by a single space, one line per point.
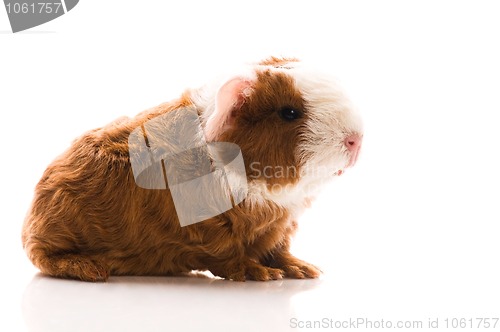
92 216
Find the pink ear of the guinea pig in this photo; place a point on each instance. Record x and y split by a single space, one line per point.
230 97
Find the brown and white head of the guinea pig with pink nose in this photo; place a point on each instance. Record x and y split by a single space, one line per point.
295 127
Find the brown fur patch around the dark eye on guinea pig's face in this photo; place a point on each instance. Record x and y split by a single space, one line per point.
259 123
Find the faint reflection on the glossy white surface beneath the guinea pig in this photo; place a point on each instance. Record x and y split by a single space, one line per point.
160 304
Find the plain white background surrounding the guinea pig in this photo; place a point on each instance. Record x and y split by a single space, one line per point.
411 233
